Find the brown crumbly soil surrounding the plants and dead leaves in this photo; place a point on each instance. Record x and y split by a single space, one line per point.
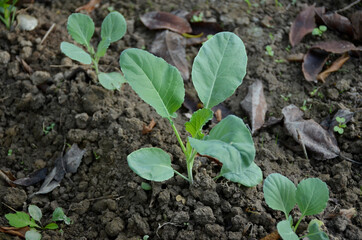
104 198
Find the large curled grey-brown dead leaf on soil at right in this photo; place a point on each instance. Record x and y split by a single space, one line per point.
311 134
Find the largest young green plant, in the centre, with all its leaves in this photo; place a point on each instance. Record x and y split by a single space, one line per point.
218 70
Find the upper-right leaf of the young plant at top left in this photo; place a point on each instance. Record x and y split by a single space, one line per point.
113 27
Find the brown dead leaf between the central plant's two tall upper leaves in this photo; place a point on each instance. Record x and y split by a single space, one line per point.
172 47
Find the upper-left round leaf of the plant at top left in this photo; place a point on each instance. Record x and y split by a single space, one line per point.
81 28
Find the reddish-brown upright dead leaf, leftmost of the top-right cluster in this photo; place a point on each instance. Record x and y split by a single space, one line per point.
302 25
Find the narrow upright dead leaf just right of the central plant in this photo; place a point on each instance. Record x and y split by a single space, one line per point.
255 104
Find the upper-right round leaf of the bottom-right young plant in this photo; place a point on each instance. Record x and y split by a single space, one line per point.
312 196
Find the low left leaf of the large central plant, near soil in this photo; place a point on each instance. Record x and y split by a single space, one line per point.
151 163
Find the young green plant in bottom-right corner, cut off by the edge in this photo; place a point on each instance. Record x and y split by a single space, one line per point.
311 195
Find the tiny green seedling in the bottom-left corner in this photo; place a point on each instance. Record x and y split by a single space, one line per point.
22 219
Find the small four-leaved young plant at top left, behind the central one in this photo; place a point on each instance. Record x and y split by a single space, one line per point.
81 28
